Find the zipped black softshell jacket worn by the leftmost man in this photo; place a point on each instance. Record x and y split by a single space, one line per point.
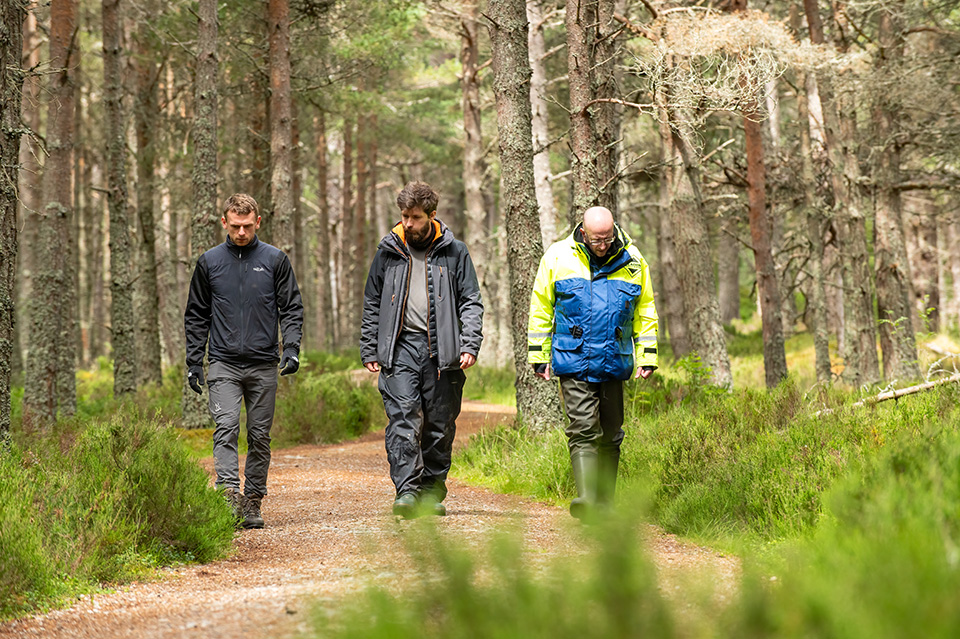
238 296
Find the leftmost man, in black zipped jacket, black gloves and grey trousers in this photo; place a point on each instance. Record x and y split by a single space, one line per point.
240 292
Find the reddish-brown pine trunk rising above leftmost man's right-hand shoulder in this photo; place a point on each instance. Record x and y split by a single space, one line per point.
278 19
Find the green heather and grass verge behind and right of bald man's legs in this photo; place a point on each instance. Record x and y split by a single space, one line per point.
748 465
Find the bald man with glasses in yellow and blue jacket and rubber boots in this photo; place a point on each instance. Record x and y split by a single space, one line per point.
593 324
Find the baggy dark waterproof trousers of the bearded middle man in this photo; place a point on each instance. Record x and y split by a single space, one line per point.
422 406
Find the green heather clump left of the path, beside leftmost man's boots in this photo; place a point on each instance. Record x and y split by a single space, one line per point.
120 497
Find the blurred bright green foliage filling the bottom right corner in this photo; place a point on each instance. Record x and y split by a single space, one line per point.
884 561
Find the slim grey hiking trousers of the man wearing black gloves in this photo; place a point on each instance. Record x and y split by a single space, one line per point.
256 386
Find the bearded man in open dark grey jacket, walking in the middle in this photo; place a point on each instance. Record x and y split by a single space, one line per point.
421 328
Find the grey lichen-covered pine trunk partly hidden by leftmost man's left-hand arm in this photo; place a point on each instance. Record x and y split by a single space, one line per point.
205 166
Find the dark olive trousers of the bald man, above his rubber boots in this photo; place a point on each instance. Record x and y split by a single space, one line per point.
595 411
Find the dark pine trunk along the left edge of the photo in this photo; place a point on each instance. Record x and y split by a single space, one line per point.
12 15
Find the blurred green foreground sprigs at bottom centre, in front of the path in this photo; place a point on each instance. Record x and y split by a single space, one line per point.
455 593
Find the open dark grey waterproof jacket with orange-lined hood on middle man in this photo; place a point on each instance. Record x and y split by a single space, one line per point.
455 311
